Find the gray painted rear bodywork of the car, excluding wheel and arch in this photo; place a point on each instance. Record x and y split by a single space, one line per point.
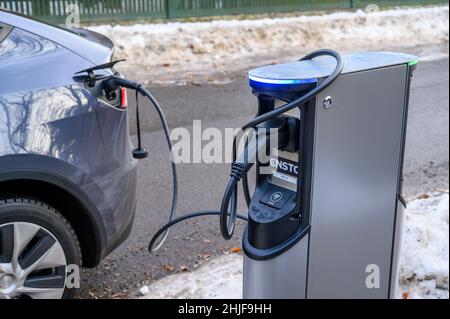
52 123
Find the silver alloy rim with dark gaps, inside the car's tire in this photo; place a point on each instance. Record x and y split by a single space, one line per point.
32 262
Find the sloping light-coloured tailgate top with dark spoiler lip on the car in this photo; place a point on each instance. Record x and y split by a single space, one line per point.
90 45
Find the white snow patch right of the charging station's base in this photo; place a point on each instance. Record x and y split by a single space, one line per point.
425 257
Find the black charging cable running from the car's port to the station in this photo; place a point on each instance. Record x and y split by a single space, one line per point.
240 168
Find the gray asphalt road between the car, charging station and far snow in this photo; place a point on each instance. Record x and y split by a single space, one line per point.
201 185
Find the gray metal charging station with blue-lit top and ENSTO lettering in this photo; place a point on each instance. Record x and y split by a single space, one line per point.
326 221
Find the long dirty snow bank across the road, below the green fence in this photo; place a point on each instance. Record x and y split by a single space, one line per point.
183 51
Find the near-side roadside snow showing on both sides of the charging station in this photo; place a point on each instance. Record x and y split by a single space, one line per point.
424 265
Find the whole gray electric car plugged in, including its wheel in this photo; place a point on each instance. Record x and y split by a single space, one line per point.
67 176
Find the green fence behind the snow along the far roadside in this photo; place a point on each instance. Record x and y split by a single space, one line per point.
111 10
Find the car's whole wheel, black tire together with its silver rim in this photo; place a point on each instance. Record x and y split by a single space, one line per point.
46 244
